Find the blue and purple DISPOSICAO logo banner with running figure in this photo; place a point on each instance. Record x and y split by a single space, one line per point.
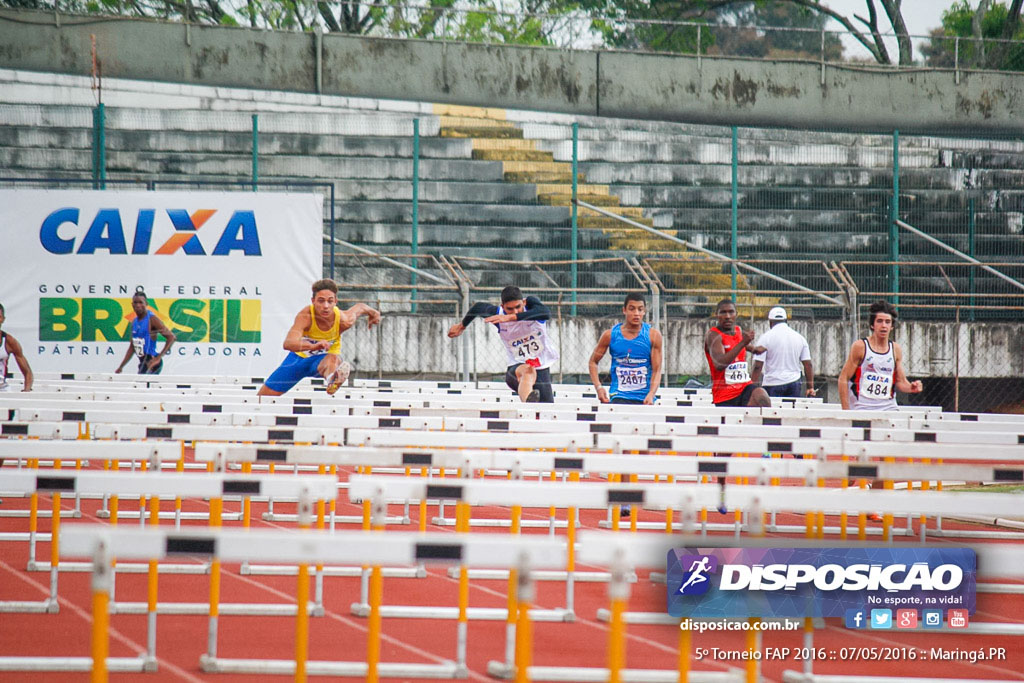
818 582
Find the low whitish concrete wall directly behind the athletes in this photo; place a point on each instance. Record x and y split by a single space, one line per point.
412 345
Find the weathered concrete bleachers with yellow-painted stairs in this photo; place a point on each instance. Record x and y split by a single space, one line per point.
497 184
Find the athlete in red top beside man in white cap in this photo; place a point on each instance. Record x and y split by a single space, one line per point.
726 349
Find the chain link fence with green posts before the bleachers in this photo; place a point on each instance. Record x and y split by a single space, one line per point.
431 210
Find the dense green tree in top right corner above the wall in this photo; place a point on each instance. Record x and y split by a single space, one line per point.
992 36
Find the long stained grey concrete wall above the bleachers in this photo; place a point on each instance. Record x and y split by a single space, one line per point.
583 83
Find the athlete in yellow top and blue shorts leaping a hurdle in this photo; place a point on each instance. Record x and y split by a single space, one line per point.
314 343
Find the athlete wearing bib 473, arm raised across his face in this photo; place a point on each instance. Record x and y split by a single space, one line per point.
522 324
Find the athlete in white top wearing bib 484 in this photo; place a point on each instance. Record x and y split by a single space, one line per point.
874 370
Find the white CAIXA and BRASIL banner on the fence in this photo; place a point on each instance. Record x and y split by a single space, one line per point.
226 272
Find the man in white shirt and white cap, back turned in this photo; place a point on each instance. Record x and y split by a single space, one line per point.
781 353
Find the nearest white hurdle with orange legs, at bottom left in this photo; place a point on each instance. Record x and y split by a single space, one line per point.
308 548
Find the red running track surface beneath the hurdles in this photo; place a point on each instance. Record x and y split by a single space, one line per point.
340 636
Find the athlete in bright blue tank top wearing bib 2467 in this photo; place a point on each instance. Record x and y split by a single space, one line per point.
636 358
